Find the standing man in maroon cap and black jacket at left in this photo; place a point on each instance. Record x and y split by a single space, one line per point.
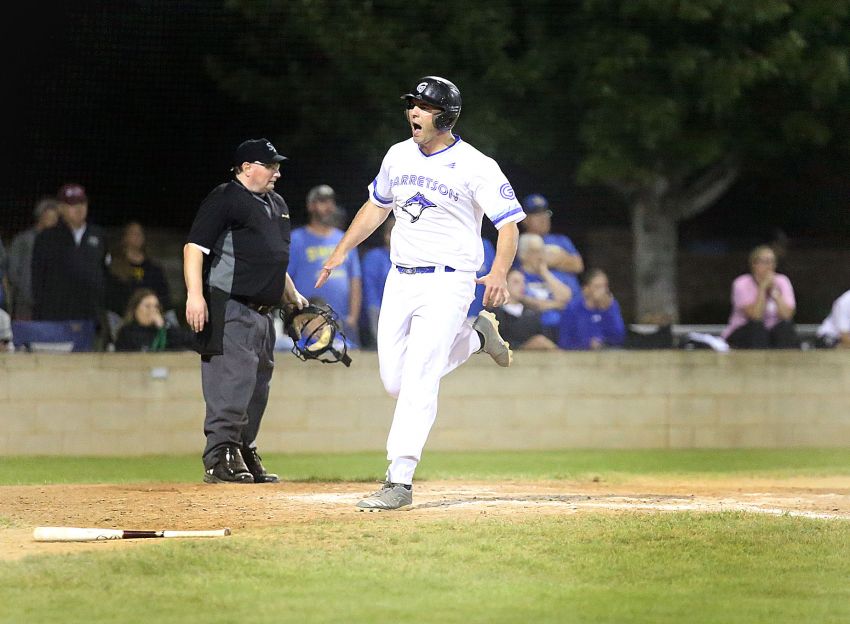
69 263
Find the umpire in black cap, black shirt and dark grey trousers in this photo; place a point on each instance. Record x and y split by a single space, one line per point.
234 264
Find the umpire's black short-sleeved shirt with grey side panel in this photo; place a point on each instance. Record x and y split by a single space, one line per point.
248 237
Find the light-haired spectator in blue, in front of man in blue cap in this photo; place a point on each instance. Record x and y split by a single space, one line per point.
544 291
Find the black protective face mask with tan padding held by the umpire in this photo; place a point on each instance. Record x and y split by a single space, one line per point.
315 334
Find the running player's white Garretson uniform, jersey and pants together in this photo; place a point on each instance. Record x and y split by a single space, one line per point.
439 201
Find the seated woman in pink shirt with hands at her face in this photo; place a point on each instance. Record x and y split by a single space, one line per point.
763 306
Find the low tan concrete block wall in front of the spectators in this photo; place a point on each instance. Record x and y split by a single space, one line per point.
137 404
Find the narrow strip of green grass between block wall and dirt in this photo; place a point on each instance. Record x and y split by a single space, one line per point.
610 465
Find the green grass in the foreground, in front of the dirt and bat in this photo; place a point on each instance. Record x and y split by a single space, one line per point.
668 568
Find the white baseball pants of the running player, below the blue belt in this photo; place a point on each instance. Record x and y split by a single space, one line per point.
422 336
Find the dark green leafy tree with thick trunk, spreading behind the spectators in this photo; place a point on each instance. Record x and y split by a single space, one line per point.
661 100
